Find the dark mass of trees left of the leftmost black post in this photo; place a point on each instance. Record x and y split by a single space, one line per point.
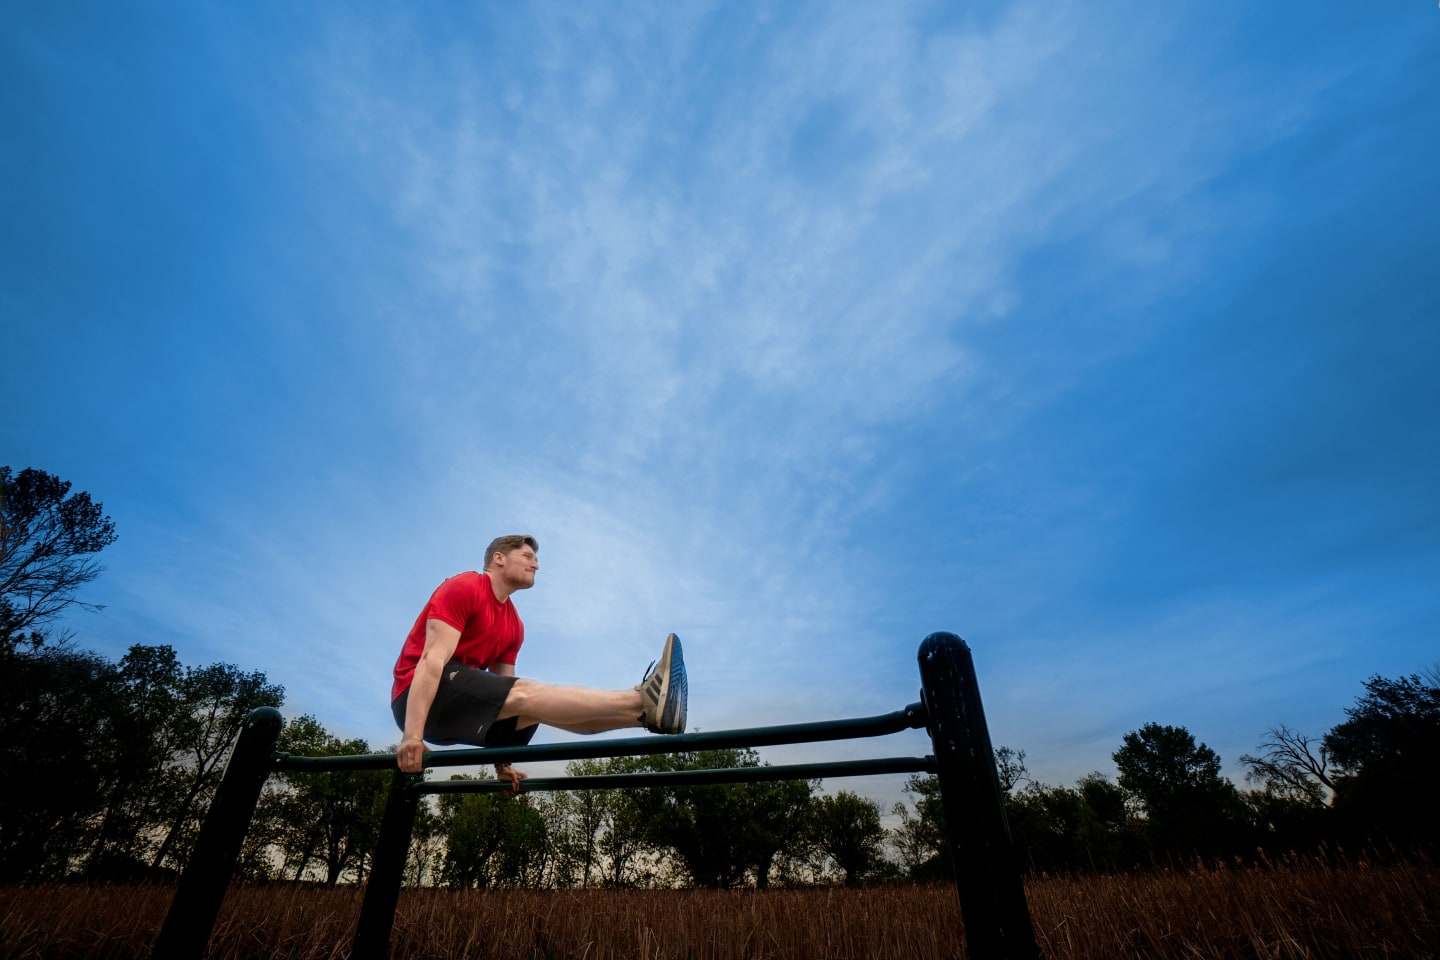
119 761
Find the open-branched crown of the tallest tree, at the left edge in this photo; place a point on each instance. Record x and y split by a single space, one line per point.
48 545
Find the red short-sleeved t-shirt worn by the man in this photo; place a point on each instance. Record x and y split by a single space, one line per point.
490 631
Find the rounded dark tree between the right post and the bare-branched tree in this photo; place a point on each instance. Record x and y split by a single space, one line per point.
1189 807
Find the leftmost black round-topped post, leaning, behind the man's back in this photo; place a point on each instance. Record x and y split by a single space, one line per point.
207 877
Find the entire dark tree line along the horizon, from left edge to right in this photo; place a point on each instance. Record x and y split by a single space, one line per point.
110 768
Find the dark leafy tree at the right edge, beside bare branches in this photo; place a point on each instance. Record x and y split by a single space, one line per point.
1389 758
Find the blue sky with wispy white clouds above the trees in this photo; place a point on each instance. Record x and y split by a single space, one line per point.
1105 339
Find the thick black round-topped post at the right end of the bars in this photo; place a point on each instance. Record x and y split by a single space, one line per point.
993 899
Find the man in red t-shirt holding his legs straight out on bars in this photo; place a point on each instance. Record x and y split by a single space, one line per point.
456 681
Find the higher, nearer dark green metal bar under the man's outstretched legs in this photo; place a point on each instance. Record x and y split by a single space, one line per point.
909 719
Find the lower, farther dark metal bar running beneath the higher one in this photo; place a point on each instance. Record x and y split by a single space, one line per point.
726 775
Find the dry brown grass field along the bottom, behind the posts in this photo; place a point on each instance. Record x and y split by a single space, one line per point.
1301 909
